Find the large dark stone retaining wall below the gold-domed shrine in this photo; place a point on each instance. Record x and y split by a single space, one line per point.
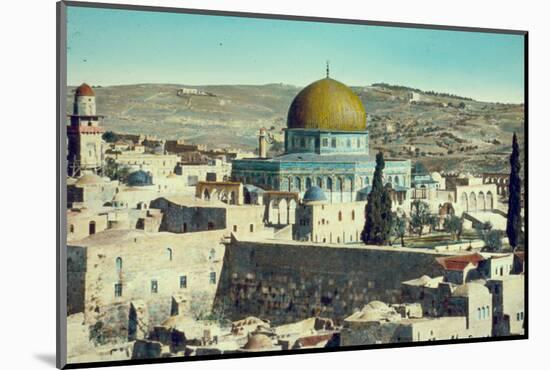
289 281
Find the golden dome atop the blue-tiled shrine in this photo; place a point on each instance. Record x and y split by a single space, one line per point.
327 105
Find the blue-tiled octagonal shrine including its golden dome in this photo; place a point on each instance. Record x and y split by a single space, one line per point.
326 145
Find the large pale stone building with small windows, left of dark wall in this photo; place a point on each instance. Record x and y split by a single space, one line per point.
122 278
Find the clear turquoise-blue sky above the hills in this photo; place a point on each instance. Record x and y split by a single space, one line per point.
115 47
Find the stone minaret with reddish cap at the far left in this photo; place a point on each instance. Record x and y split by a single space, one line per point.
84 133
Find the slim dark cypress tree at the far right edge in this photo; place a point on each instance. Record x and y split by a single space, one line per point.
513 224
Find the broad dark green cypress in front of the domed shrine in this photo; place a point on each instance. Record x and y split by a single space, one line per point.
378 216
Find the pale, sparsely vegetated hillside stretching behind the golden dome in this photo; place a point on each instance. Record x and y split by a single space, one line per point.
445 132
